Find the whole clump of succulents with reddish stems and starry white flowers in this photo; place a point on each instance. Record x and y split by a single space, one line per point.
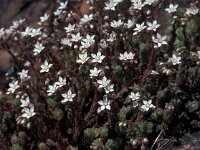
115 78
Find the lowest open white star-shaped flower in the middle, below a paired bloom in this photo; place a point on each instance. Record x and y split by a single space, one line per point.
104 104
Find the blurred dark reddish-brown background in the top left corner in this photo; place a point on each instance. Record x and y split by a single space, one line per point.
11 10
